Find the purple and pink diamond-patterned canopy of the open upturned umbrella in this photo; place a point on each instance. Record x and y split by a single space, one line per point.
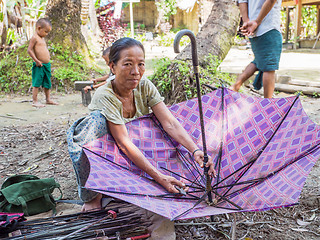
263 150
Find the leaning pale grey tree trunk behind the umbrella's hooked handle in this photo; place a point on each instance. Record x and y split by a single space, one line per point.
217 34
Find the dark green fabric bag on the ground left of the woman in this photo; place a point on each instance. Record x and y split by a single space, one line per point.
28 194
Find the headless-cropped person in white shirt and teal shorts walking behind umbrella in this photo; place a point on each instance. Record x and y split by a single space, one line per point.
261 23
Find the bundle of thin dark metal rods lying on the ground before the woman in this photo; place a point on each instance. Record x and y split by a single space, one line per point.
88 225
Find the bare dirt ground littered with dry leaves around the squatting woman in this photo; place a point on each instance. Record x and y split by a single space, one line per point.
33 141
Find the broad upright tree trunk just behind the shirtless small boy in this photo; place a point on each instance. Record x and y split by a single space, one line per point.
66 26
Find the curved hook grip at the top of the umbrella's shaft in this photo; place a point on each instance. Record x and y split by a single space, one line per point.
192 37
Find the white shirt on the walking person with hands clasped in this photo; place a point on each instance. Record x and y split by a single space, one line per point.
271 21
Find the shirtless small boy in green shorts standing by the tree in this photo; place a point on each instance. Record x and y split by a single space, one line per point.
41 70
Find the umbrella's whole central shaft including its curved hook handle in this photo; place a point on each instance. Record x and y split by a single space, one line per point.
195 63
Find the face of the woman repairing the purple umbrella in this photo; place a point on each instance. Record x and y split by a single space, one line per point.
130 67
